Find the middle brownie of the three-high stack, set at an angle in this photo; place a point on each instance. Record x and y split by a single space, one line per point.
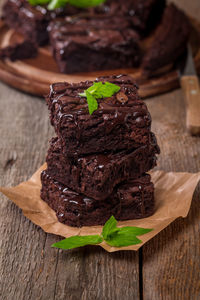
96 175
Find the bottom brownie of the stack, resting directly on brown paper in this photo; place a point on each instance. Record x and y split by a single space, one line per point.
132 200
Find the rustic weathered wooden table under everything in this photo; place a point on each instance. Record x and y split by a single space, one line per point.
167 267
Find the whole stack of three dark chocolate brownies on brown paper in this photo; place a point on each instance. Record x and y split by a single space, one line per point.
96 165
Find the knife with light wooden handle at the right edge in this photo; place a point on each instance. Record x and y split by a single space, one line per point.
190 86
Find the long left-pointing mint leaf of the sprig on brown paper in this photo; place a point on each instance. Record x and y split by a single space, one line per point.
78 241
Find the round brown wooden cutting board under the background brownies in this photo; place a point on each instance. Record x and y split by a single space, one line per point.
35 75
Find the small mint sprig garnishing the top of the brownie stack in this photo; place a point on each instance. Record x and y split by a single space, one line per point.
99 90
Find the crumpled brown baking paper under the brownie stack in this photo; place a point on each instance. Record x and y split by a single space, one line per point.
173 196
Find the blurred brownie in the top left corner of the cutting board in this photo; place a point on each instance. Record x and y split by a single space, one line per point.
32 21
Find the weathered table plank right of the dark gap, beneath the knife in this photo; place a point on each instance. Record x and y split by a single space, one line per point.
171 260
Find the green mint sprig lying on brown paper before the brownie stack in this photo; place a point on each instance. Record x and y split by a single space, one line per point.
111 234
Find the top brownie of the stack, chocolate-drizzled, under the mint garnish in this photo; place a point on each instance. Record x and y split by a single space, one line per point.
121 121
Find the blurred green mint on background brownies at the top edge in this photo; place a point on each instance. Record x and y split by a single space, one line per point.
53 4
